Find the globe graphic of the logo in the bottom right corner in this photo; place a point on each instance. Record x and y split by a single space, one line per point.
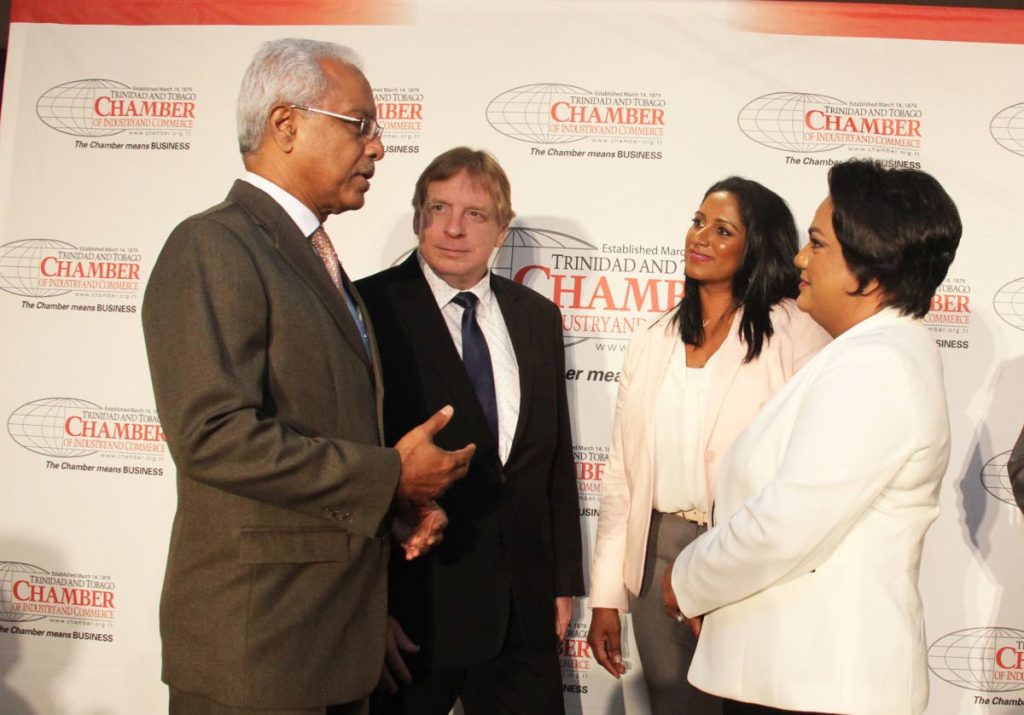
968 659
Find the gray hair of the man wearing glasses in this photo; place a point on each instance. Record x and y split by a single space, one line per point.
285 71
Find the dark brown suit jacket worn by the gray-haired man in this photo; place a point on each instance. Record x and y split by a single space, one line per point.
275 590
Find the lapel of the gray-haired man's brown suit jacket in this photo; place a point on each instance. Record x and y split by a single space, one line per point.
295 249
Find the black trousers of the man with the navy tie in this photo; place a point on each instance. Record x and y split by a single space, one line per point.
518 682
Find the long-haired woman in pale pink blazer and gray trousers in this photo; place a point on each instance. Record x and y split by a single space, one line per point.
691 383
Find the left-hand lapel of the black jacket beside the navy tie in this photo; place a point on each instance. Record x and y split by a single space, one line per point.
424 324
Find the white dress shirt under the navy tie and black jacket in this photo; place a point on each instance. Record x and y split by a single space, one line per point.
503 361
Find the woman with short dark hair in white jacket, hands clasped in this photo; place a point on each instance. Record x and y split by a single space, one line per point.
808 578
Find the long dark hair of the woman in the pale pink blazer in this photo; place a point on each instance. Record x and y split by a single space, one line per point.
766 274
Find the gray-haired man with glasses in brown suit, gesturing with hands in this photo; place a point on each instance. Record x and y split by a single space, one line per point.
268 386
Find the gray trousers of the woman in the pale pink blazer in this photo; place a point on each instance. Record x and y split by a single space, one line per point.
666 647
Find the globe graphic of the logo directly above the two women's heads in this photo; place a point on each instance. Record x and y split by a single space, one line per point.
777 121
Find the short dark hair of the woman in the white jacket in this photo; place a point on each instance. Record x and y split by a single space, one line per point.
898 227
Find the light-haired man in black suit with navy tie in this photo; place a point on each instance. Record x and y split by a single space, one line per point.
487 607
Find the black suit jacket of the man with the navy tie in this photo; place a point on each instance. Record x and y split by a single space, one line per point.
514 530
